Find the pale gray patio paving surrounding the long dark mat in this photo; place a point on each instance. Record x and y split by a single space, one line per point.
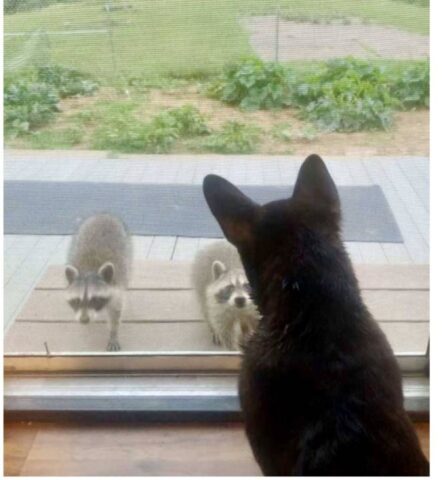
404 181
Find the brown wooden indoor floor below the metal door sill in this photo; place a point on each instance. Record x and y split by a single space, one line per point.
65 449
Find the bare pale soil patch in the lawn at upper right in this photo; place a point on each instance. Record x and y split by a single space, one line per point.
315 41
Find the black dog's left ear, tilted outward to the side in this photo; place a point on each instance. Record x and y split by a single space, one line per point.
235 212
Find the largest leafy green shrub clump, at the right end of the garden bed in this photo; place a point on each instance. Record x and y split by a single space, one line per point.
352 95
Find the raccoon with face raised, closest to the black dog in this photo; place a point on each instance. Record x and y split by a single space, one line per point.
223 292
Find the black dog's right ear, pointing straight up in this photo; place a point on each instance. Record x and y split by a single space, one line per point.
316 189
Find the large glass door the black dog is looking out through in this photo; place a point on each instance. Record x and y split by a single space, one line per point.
125 105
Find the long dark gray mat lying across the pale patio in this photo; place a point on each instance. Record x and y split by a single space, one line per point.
56 208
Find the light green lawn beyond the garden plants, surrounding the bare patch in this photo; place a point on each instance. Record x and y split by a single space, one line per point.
182 38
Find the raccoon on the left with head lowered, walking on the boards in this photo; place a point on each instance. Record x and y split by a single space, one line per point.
98 271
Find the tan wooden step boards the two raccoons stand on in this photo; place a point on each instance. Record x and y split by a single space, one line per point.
162 314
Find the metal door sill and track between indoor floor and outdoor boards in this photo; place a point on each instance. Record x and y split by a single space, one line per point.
165 385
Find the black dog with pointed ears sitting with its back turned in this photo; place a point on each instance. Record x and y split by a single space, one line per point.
319 386
